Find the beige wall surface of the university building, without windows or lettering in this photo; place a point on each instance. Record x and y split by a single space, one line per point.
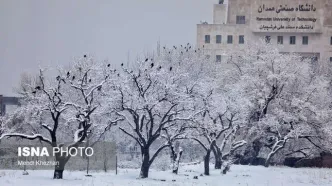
319 36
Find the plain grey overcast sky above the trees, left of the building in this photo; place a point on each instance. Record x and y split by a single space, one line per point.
54 32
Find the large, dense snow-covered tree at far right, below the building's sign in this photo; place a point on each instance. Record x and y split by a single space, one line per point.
287 95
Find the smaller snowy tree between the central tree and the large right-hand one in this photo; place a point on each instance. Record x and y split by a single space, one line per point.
217 127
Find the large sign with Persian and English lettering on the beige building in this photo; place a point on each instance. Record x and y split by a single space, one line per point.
286 16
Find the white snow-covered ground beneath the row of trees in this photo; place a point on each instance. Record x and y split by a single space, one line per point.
239 175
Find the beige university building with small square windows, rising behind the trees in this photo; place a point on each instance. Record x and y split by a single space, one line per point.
301 26
